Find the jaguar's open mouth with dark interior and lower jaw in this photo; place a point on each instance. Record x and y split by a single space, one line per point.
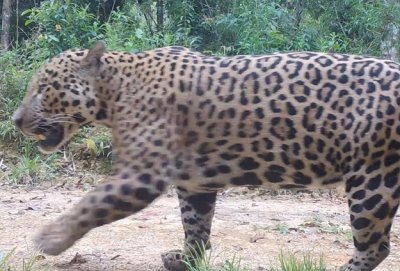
50 138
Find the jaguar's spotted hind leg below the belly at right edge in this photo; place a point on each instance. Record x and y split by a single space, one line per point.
373 203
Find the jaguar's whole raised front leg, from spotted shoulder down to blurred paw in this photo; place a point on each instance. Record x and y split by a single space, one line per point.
143 152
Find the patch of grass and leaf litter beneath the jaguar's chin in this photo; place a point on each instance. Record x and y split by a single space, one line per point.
89 153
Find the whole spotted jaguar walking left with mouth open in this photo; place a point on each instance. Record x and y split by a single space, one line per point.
204 123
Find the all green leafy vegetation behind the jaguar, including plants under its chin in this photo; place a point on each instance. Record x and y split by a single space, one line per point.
220 27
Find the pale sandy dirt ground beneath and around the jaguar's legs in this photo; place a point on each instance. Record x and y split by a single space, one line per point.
251 225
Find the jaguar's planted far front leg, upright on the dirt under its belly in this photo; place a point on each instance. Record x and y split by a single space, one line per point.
197 211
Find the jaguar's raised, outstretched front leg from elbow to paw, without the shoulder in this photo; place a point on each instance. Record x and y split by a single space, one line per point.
109 202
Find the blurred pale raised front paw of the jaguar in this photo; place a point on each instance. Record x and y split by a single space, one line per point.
55 238
